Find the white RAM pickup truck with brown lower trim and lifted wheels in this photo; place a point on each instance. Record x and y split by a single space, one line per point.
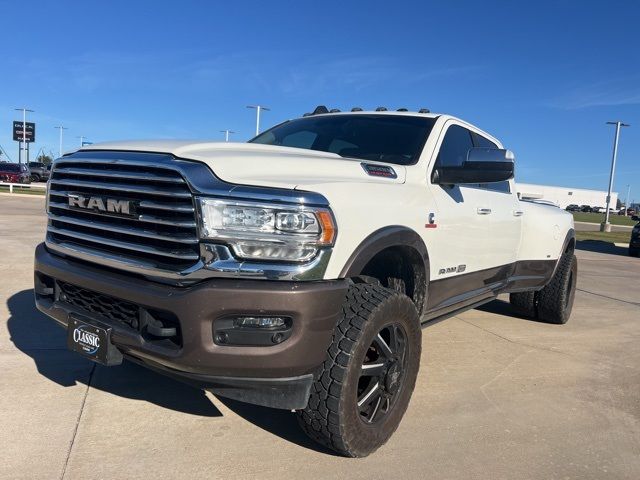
295 270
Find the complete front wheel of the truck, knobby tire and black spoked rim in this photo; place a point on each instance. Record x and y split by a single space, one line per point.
363 388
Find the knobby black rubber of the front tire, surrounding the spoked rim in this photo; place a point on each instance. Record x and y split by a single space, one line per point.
332 416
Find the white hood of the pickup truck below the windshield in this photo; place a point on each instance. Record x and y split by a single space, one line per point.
263 165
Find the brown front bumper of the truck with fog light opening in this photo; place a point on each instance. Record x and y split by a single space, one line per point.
277 376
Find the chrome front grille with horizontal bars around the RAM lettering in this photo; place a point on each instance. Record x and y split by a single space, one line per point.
162 234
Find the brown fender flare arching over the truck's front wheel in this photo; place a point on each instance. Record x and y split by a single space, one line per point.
392 236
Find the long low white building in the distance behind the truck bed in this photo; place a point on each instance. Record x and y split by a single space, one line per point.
563 196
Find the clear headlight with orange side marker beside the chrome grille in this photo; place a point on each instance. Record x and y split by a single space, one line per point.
267 231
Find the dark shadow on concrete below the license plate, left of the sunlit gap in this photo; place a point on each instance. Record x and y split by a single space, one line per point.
41 338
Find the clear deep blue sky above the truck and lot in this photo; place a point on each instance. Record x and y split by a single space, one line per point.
542 77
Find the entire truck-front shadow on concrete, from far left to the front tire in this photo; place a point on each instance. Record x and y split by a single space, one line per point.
41 338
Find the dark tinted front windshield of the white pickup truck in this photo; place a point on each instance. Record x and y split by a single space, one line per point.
395 139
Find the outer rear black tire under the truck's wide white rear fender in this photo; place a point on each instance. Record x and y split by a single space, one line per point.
555 300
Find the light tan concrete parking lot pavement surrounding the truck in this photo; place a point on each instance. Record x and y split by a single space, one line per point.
497 396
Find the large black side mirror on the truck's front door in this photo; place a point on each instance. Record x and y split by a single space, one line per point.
483 165
